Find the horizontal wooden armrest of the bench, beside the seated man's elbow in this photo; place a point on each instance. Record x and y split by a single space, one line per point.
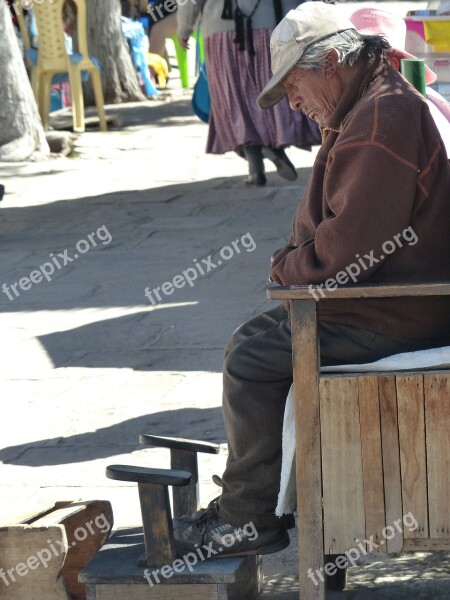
304 292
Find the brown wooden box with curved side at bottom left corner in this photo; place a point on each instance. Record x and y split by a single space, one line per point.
42 555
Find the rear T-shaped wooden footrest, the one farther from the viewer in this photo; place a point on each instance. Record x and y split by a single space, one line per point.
183 455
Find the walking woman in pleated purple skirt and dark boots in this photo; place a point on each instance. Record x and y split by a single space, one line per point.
237 47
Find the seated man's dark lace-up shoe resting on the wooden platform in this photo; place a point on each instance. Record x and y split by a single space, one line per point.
208 532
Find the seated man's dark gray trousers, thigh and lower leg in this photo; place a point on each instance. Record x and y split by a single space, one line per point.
256 381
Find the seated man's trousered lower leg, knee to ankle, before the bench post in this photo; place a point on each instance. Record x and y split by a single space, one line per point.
256 380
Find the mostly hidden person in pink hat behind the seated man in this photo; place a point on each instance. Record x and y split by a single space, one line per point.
373 21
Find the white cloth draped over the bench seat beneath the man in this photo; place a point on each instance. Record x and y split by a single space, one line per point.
436 358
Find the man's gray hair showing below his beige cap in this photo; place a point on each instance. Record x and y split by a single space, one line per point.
350 45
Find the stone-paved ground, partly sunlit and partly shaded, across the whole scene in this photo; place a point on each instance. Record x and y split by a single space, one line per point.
88 362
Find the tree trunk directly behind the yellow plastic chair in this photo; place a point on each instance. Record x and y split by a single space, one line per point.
106 42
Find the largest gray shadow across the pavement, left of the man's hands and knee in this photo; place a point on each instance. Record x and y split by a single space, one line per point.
150 242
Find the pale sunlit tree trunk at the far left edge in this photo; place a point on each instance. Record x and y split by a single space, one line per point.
21 133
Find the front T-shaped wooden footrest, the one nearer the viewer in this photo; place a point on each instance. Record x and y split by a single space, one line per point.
155 507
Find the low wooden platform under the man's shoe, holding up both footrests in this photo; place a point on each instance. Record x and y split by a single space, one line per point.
114 575
